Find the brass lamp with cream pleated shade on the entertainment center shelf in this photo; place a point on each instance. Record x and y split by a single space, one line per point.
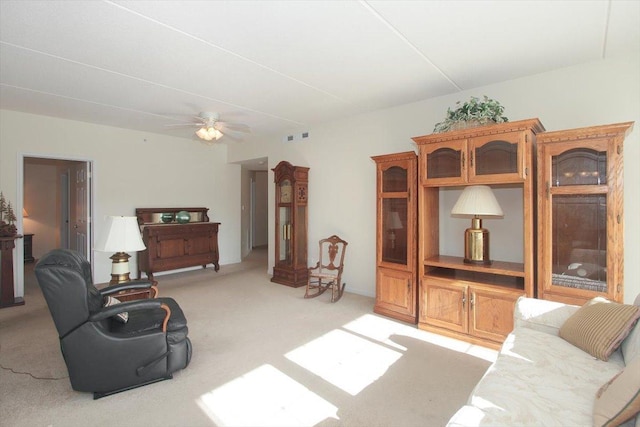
477 201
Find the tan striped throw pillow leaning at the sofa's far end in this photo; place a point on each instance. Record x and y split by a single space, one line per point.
599 327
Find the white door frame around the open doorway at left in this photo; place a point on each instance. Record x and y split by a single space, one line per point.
19 259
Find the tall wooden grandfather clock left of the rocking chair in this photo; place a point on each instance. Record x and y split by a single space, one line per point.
291 225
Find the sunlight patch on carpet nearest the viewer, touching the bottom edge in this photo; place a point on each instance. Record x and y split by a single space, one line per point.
265 397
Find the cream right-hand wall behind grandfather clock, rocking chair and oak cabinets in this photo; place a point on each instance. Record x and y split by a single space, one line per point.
342 175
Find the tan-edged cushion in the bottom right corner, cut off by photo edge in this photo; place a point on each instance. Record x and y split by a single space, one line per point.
619 399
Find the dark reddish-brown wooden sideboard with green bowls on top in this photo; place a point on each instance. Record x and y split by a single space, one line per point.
172 245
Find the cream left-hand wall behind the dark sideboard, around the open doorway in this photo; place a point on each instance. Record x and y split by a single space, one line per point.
131 169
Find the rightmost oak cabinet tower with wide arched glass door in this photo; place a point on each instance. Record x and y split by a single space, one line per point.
581 213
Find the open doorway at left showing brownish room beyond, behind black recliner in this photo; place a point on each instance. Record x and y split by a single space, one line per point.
57 202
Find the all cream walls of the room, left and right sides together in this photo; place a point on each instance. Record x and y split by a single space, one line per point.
135 169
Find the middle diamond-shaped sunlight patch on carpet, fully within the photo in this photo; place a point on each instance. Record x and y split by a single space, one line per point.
345 360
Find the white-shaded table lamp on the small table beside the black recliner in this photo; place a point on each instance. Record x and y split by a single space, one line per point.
122 236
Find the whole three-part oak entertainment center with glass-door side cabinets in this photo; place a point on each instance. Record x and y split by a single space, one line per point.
566 237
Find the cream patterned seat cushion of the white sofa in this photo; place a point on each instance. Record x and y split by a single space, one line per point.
538 379
